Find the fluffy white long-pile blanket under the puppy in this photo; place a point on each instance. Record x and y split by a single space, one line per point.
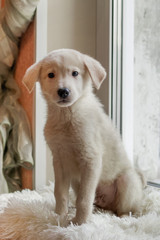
29 215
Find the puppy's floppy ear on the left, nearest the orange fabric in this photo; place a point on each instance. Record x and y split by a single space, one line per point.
31 76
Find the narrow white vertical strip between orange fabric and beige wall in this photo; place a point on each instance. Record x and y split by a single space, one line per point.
40 148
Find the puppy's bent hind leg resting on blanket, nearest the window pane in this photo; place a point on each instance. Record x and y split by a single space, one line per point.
129 193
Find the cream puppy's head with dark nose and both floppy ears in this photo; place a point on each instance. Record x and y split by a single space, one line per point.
64 76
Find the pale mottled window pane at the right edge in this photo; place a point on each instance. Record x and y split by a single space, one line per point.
147 87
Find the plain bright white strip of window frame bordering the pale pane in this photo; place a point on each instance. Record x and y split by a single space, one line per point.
128 77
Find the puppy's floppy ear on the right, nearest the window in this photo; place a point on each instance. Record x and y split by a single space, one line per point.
96 71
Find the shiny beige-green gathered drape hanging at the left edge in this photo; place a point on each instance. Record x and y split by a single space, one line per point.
15 139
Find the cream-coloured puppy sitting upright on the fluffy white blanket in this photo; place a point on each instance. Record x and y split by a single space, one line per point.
87 152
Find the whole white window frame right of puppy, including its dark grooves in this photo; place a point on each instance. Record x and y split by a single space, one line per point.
122 69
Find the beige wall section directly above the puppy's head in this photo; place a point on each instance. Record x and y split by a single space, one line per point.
72 24
